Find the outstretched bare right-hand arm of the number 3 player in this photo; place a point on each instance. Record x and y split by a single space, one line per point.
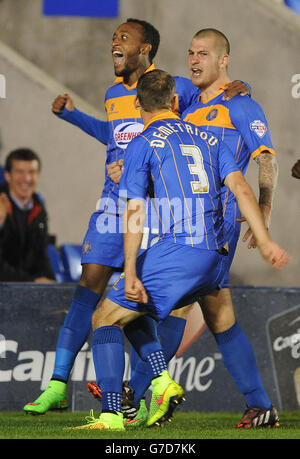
270 251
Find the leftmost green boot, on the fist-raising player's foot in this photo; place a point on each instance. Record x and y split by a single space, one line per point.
53 398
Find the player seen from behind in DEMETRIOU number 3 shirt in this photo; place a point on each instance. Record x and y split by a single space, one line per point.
187 167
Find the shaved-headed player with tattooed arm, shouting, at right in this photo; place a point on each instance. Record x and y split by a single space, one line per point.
241 123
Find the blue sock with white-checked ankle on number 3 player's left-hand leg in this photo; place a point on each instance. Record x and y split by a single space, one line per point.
109 362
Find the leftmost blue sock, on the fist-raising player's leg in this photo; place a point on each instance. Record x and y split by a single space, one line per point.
74 331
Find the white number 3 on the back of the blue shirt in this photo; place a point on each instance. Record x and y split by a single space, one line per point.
197 168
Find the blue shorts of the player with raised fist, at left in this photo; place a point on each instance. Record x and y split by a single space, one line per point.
103 243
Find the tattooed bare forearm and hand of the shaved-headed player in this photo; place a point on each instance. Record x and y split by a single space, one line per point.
267 179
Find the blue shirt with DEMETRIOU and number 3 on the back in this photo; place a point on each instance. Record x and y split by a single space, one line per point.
187 167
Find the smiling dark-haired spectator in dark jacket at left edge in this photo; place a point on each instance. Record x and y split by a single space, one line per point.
23 222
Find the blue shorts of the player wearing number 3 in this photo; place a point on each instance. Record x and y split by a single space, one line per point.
174 276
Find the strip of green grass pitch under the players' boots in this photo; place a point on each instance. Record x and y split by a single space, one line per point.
18 425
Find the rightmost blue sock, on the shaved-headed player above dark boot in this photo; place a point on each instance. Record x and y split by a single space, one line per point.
239 359
